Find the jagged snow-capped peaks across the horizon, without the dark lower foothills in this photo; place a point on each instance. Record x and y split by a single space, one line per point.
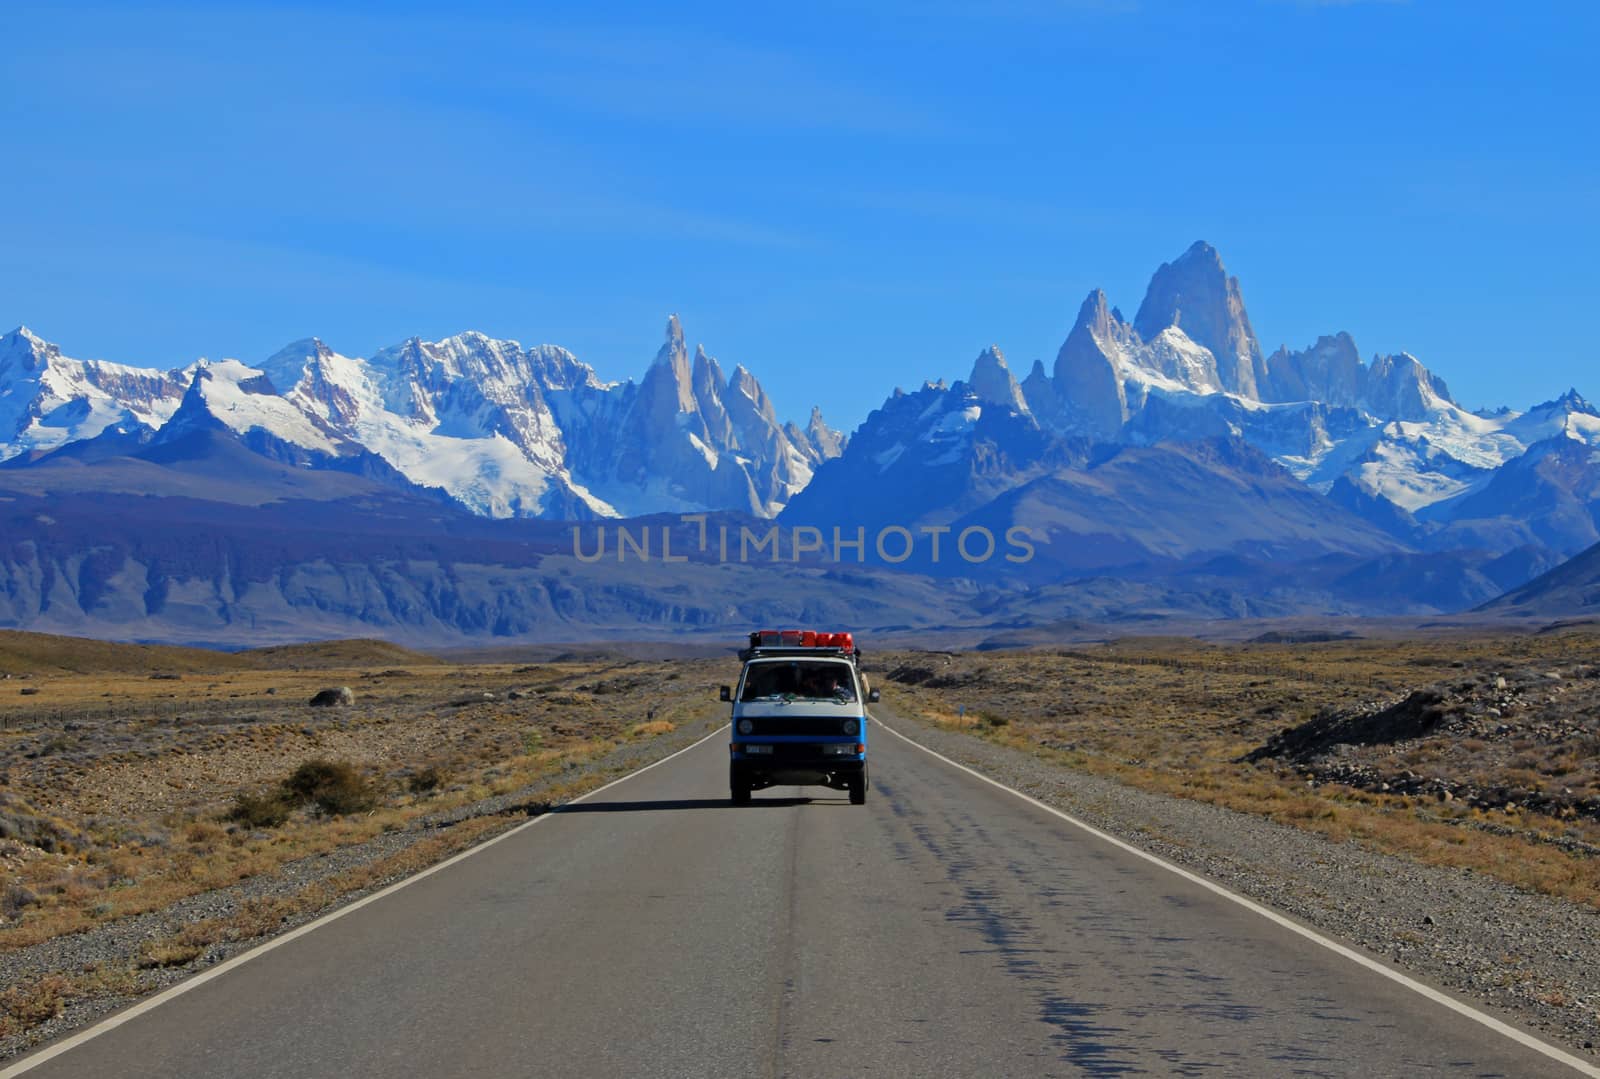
513 431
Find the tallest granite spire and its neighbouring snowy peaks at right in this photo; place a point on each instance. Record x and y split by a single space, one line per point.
1190 367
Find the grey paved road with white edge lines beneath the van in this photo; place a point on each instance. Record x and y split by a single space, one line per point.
943 929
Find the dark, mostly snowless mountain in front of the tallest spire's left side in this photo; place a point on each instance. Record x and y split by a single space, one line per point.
969 457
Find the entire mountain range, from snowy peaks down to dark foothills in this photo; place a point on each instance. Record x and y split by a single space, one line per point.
1166 467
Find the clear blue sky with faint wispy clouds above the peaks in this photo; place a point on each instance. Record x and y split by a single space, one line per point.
842 201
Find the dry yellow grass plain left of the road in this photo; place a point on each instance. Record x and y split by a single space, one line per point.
138 774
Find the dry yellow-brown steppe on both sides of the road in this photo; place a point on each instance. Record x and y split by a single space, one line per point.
162 809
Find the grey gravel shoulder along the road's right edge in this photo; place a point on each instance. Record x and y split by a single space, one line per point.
1530 960
